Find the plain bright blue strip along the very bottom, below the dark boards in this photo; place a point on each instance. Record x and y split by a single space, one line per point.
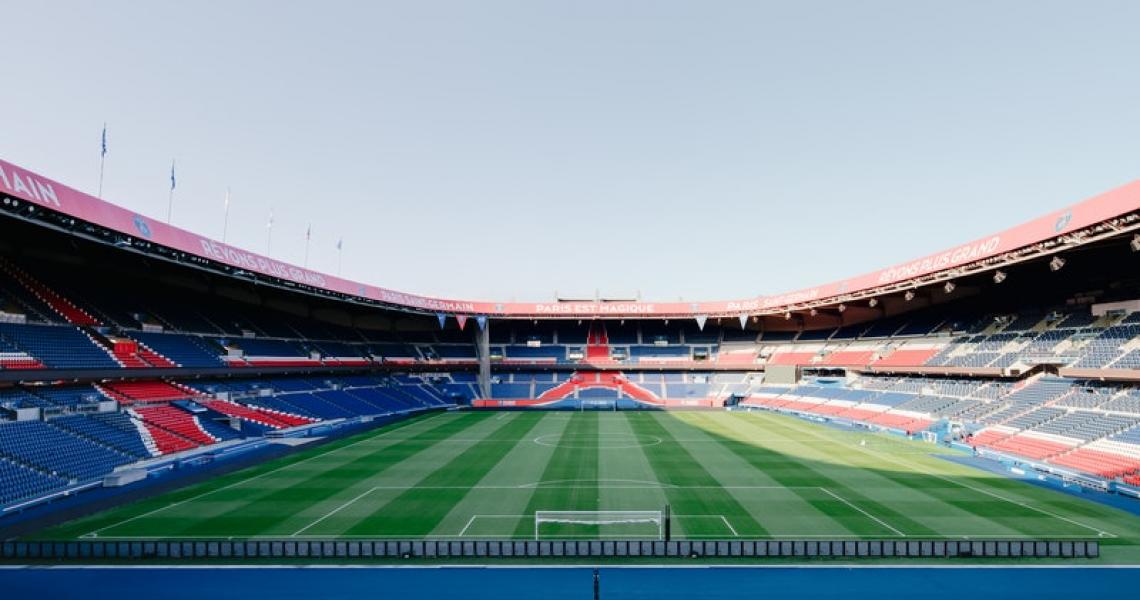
573 583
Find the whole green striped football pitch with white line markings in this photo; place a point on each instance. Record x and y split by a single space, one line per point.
485 475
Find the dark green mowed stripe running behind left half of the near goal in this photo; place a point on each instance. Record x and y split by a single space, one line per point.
575 463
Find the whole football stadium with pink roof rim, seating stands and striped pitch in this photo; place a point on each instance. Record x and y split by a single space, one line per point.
974 406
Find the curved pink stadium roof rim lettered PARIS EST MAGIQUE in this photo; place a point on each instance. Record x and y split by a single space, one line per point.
1101 217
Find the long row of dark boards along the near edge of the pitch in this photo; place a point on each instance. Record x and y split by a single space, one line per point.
185 552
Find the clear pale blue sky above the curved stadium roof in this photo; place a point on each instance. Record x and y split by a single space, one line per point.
504 150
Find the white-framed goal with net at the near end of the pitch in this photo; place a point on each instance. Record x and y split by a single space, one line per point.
600 524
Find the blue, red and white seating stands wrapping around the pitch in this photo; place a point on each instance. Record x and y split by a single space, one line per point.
1053 380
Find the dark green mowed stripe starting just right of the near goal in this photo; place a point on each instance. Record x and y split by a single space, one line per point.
673 465
